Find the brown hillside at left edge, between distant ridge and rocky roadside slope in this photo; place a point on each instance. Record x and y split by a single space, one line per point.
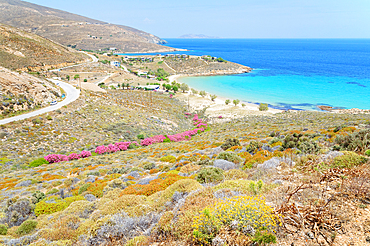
25 51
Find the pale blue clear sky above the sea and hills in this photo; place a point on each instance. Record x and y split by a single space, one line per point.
230 18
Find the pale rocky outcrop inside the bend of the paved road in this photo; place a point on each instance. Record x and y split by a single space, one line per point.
21 91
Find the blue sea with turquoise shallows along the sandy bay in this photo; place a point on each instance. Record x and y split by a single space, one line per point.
288 73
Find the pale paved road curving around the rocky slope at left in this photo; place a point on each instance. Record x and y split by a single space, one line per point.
71 95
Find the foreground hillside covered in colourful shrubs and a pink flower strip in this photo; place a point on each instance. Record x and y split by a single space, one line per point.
298 178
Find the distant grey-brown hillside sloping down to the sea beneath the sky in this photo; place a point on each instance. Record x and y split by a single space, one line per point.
76 31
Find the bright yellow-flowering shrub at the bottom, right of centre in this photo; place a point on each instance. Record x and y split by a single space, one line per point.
242 213
